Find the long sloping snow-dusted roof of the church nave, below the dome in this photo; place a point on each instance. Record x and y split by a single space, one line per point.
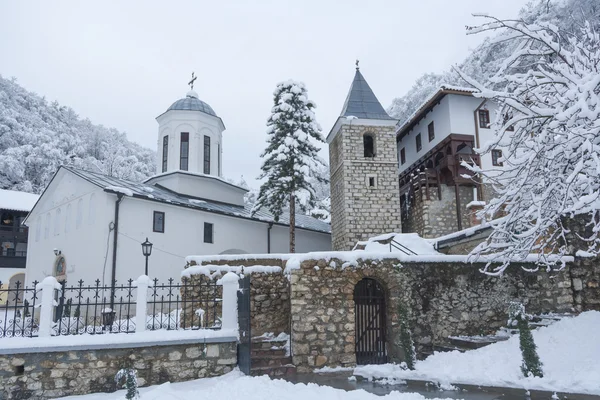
162 195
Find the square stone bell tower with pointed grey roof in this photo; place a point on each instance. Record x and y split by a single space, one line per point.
363 168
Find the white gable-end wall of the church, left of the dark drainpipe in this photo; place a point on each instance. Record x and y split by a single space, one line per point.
80 232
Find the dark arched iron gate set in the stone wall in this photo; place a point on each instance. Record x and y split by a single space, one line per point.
370 313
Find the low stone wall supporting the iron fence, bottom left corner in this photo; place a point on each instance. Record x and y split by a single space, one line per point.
49 374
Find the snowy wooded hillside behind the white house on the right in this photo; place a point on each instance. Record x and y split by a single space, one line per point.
485 60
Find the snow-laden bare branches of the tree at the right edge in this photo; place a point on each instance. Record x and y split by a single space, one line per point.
549 93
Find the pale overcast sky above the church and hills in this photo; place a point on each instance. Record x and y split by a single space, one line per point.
122 63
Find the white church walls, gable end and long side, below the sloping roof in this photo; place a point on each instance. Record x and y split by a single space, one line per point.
89 248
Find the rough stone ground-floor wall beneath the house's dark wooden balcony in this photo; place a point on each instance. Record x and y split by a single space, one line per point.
433 218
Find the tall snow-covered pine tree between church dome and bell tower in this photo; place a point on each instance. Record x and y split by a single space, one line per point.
290 159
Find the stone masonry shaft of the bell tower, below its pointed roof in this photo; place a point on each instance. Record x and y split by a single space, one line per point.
360 211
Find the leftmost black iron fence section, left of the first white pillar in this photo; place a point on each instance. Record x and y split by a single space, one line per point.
17 310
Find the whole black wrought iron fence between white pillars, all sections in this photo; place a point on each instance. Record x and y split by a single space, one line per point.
100 309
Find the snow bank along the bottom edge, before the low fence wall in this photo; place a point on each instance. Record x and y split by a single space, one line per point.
235 385
